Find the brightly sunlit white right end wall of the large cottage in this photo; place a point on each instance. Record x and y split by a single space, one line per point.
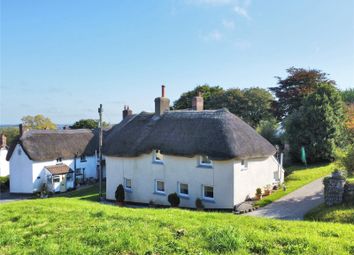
260 172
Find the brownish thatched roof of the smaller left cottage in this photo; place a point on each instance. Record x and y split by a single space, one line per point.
44 145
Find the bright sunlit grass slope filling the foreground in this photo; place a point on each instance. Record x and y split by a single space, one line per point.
74 226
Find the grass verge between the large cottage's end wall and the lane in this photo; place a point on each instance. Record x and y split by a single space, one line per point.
299 177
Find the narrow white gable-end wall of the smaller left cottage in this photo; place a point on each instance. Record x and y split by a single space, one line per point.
20 172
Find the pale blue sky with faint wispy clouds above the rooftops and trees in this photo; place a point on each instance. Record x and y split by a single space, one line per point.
62 58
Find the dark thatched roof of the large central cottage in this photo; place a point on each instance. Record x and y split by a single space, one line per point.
216 133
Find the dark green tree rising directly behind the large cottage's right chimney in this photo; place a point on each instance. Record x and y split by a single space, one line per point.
185 100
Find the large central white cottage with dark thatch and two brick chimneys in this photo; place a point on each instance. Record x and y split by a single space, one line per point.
208 154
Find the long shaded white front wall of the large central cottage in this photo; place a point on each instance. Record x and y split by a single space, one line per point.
143 174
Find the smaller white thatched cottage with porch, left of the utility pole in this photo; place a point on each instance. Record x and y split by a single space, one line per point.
59 158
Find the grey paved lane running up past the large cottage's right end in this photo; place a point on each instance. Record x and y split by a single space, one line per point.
294 205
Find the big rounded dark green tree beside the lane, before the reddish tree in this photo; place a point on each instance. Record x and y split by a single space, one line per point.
317 125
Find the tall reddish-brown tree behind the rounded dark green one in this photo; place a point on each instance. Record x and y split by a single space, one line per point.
293 89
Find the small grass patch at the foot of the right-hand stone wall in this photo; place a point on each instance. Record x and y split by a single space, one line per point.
340 213
